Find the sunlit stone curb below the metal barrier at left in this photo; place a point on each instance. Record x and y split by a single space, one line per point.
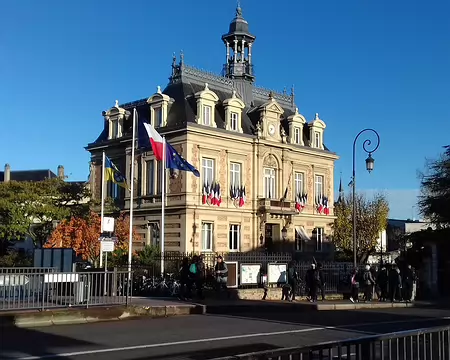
99 314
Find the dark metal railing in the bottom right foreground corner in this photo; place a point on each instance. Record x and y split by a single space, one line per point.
422 344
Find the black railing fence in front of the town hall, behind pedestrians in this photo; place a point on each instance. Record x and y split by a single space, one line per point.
335 273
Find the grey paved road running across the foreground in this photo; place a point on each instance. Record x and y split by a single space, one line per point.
208 336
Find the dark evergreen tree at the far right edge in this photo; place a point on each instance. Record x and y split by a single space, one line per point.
434 201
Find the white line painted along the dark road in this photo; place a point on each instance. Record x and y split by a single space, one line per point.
225 338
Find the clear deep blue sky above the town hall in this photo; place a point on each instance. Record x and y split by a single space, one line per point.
382 64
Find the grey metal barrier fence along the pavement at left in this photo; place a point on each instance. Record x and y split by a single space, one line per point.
44 290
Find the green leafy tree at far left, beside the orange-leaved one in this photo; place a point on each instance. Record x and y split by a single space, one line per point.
29 208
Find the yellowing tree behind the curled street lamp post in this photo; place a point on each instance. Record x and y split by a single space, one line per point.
371 219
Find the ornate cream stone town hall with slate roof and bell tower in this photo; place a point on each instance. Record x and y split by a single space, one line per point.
252 147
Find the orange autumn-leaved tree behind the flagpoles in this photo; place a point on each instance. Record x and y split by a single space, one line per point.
82 233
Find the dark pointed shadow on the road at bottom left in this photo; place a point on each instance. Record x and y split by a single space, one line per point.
23 342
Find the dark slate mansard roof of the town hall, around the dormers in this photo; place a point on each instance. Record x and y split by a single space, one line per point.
186 81
